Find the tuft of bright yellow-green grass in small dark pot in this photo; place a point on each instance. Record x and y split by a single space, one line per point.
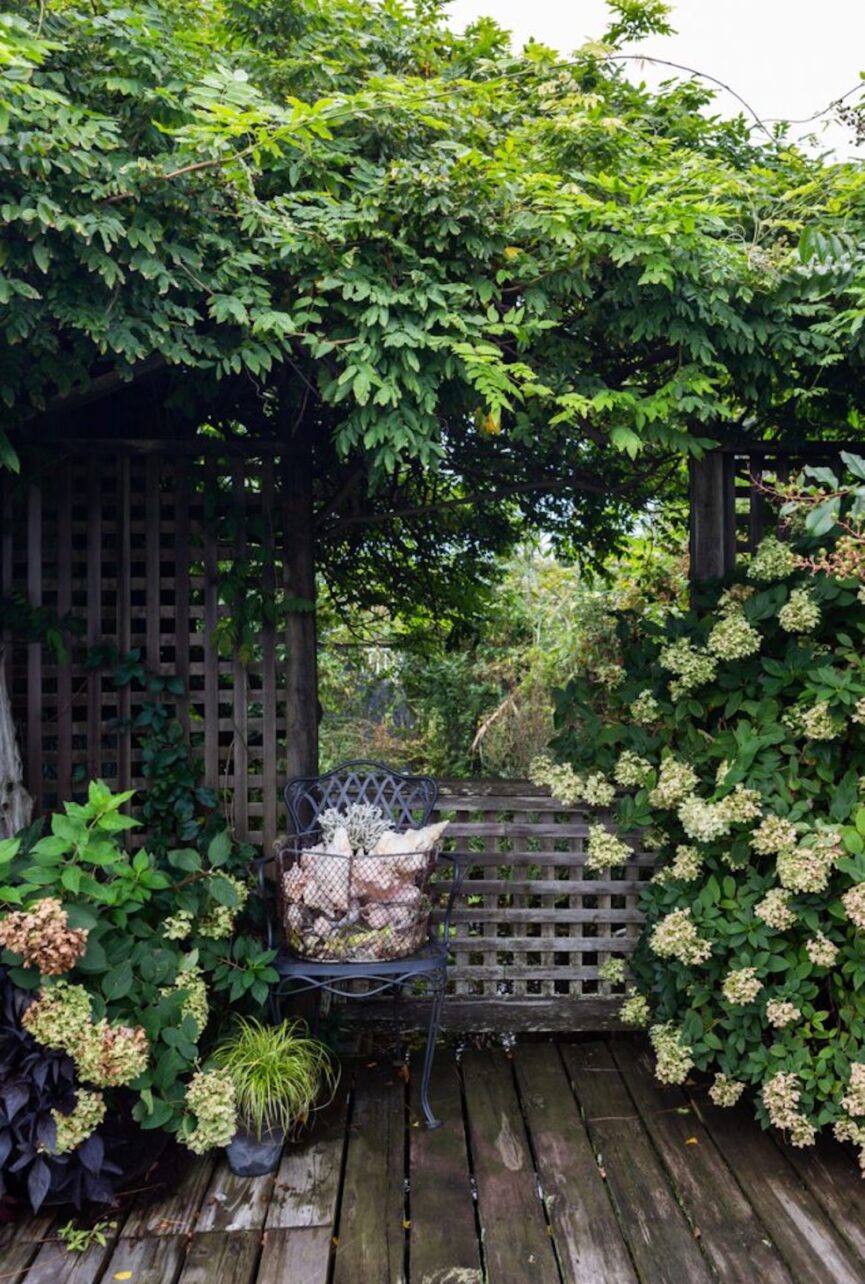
279 1074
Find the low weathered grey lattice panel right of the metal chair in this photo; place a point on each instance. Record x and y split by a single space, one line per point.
531 928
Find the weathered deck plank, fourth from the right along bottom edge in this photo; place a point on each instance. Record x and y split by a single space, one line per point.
588 1240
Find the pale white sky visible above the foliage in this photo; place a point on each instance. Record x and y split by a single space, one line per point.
786 58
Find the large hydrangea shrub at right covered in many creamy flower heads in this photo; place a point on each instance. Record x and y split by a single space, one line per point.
735 739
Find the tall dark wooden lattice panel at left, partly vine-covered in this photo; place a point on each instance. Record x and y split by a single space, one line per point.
129 546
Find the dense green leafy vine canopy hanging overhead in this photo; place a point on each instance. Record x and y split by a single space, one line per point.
472 273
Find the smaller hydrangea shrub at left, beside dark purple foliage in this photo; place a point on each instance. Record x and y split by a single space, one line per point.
125 956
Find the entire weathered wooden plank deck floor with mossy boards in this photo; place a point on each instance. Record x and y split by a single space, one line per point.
563 1163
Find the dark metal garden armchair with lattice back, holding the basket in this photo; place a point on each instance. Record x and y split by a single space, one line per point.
406 802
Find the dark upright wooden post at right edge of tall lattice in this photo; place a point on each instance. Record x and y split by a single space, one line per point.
300 560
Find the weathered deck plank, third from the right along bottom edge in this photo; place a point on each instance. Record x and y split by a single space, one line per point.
660 1240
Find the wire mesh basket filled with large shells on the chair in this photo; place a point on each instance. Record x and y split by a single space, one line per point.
352 907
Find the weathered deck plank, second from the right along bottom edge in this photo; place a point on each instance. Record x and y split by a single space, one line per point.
732 1236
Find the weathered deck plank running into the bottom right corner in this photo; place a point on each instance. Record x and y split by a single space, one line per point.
808 1241
